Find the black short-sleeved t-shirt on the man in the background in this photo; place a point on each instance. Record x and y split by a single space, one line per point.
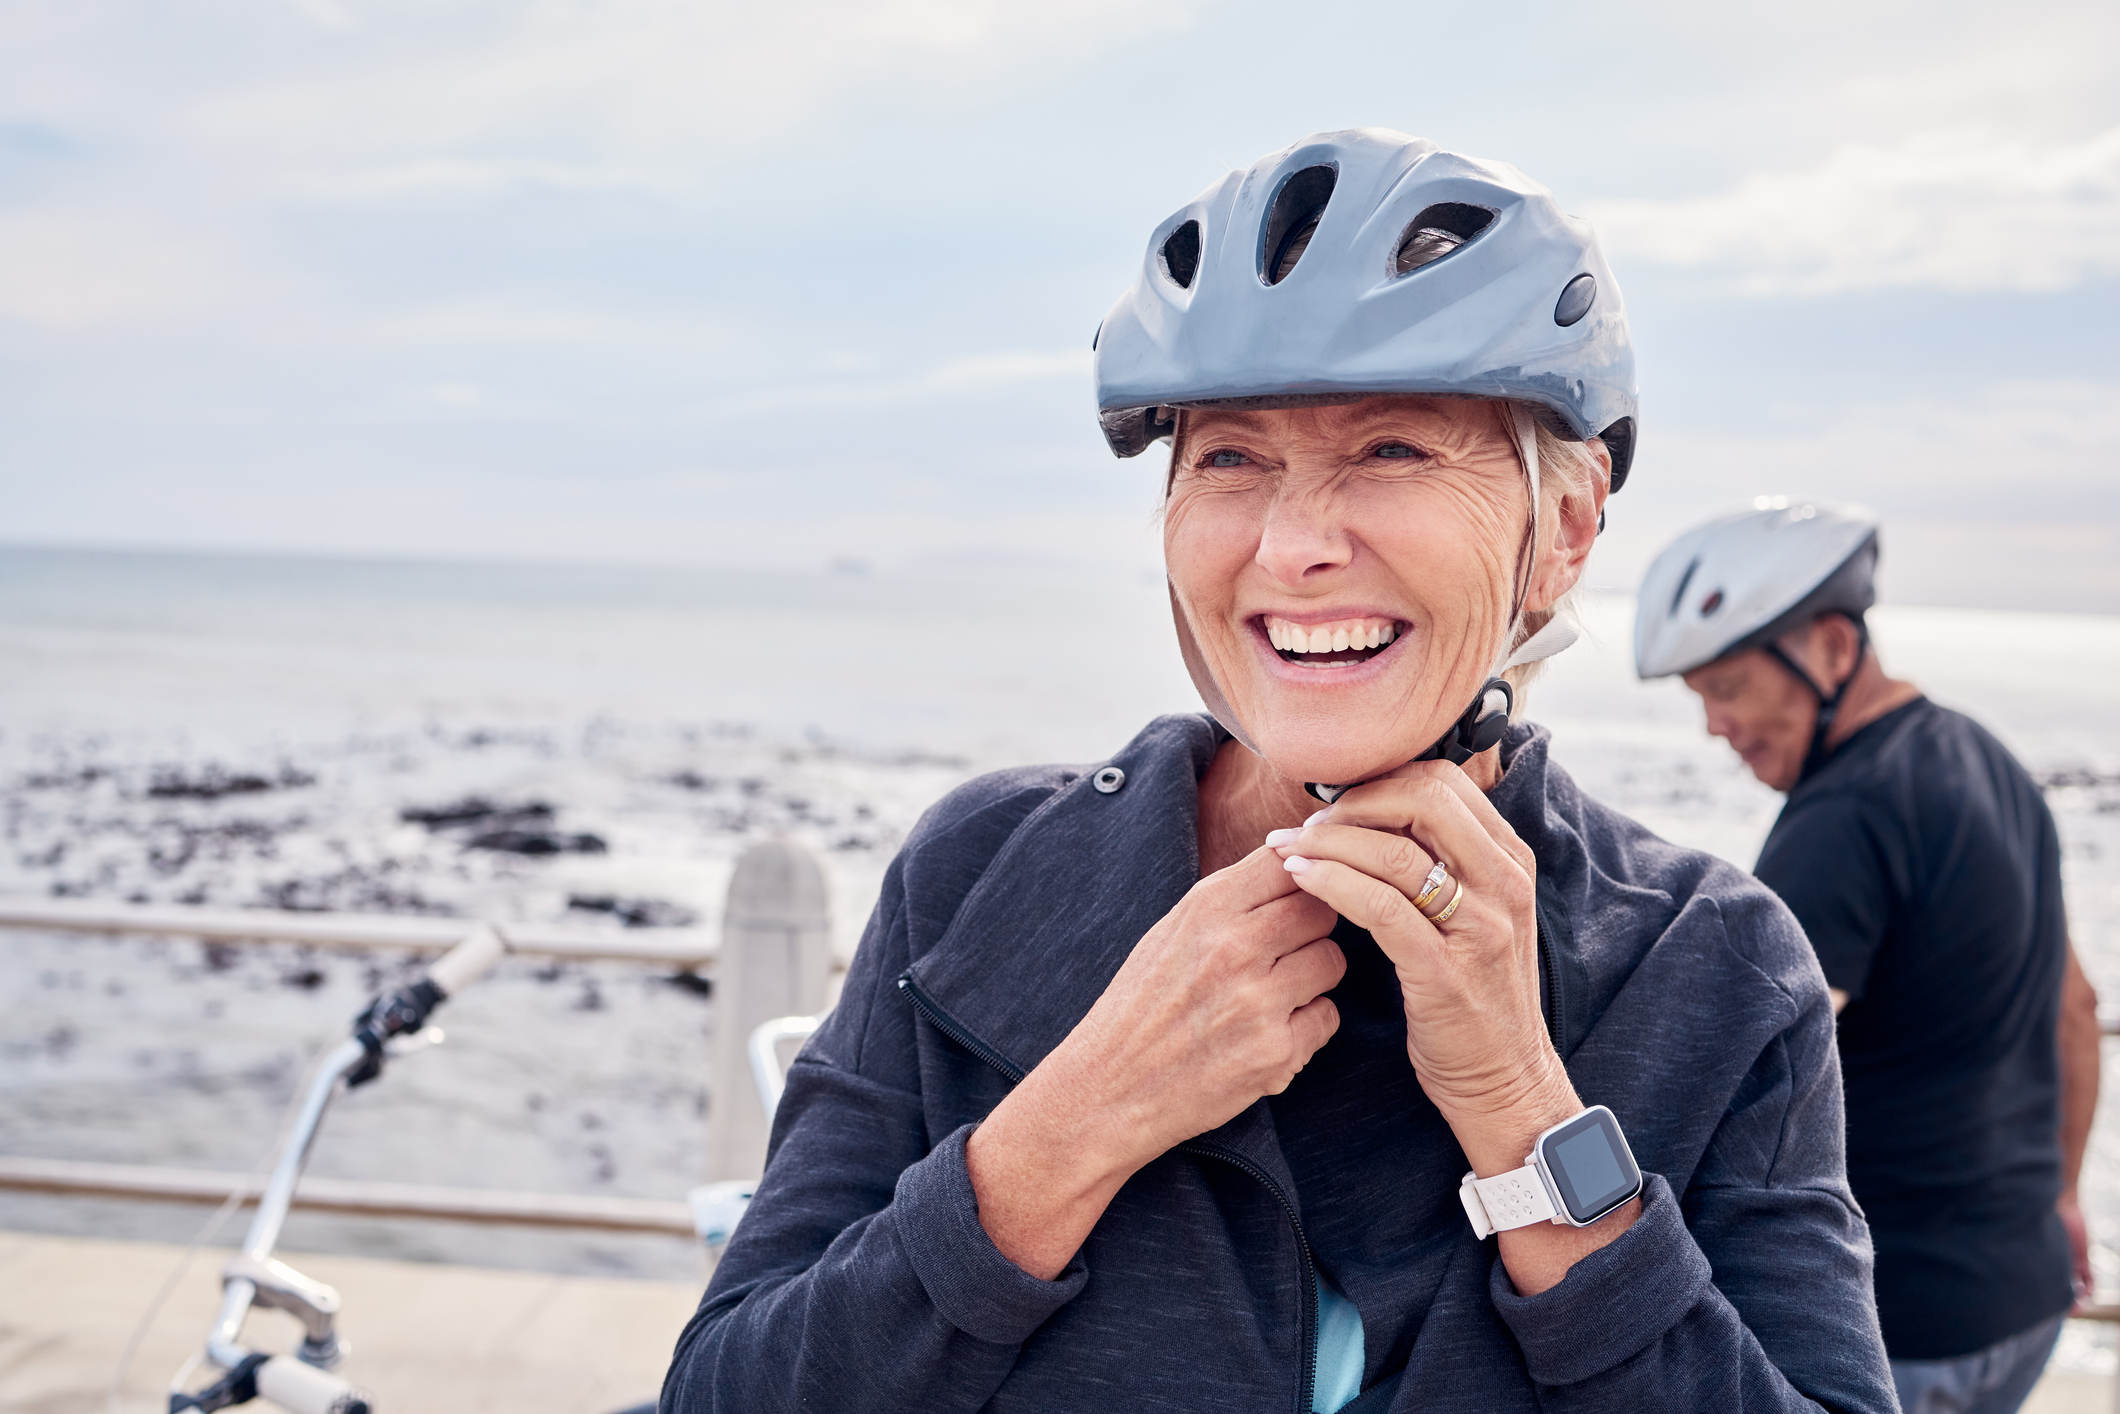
1926 870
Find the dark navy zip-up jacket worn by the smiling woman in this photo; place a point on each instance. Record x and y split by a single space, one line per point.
1678 989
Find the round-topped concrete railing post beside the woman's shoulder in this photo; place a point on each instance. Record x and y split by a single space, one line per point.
775 961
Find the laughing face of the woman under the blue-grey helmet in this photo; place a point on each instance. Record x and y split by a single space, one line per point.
1349 571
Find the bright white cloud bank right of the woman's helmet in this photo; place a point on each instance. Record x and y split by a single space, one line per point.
1958 211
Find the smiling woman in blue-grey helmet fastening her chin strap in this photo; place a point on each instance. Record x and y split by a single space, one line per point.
1159 1089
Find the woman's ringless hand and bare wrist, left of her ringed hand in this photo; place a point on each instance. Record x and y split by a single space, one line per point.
1220 1004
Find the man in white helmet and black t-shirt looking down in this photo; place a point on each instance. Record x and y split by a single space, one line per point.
1926 870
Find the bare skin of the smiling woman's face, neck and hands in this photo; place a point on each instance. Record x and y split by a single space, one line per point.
1404 510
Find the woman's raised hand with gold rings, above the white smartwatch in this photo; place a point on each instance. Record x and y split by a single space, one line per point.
1474 1029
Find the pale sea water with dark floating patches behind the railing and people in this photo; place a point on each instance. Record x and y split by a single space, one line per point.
275 732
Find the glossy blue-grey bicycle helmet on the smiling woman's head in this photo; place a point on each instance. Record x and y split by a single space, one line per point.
1368 262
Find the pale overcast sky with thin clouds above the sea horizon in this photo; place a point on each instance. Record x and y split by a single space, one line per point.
785 283
